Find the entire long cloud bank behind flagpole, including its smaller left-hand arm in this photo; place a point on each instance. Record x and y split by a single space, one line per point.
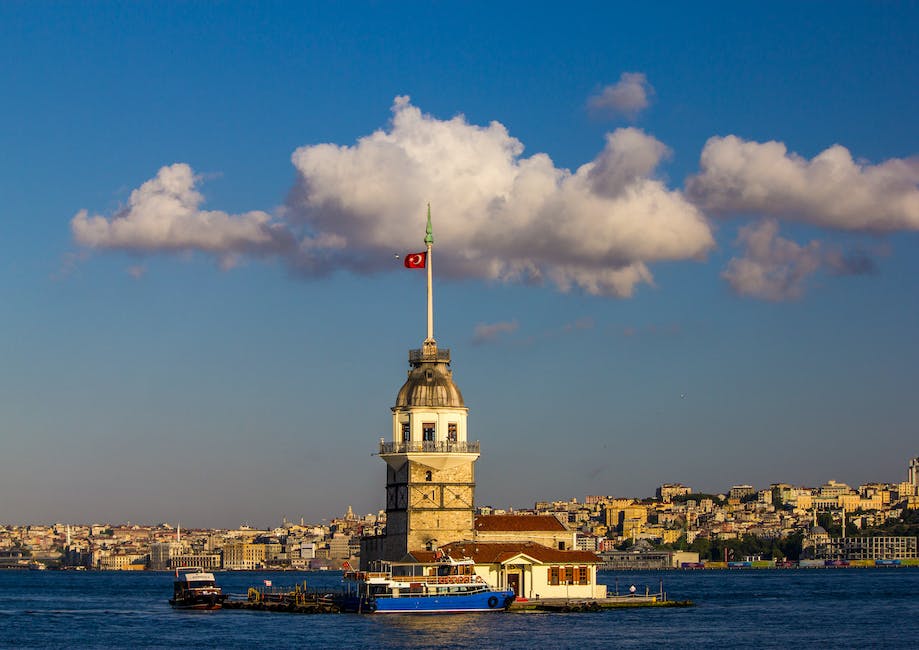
497 215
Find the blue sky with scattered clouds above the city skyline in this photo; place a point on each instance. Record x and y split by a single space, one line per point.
674 243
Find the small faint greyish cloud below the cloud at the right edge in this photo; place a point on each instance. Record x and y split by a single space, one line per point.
772 268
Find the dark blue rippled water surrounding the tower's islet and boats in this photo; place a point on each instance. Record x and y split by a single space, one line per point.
846 608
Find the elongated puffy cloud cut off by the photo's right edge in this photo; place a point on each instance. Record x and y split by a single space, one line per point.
830 190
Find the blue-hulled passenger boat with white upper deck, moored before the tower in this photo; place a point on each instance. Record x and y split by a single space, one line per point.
443 586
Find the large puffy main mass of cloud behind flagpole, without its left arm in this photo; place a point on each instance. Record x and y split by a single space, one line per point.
497 215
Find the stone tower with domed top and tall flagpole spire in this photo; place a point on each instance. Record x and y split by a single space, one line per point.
430 478
